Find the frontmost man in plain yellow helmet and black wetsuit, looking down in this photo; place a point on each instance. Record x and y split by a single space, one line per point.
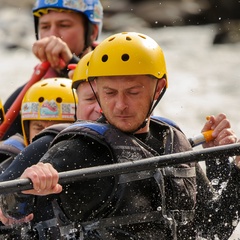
175 202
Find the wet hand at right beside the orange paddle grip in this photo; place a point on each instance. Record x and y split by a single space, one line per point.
222 132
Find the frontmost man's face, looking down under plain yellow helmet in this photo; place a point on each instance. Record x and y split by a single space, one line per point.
125 100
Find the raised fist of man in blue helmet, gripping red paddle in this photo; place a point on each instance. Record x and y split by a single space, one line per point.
54 50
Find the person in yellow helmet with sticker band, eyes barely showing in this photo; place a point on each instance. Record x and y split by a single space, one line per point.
37 107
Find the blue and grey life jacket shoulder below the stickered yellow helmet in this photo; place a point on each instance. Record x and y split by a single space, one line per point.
9 149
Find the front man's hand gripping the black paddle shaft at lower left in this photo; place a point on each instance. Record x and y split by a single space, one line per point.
44 178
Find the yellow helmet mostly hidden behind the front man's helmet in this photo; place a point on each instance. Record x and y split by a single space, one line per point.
81 70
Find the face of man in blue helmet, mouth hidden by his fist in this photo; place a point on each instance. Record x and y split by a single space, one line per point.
69 26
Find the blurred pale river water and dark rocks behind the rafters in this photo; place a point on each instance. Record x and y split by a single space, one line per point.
200 39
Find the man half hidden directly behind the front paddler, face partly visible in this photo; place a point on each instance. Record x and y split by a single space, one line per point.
88 108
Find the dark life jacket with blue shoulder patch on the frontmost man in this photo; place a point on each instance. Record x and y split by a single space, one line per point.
174 186
